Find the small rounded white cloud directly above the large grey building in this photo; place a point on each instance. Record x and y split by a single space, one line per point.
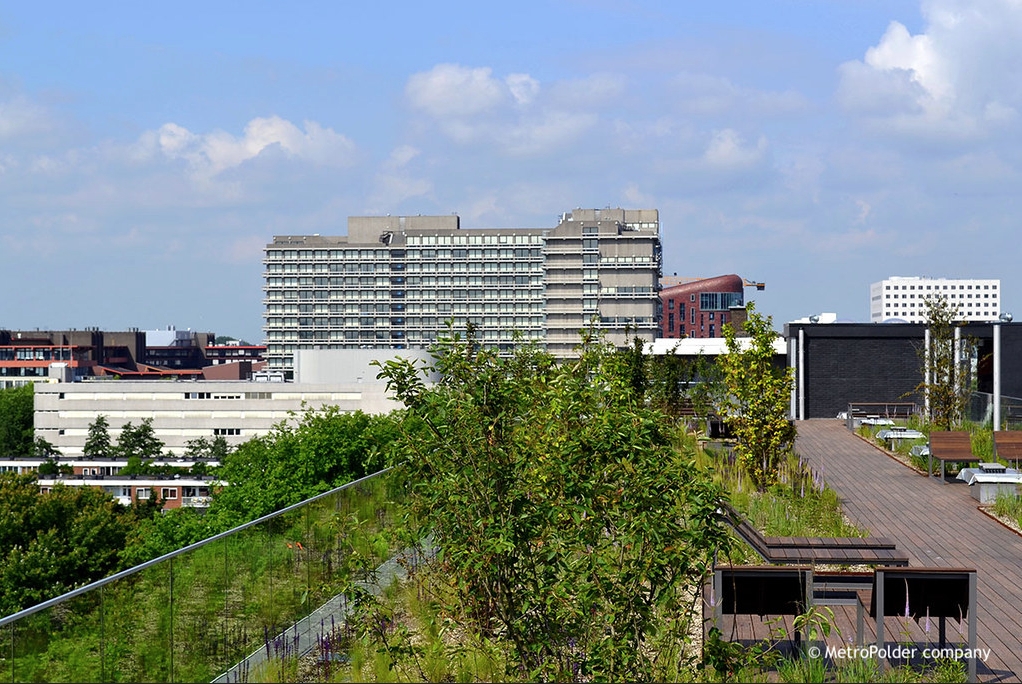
453 90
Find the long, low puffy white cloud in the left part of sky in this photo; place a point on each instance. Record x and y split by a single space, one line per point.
212 154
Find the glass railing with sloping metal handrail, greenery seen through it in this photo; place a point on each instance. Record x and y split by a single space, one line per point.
223 609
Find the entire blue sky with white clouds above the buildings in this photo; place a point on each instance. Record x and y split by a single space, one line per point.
150 152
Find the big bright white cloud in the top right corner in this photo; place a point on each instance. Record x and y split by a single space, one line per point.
955 80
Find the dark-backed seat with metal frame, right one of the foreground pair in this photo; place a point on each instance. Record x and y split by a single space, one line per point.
928 592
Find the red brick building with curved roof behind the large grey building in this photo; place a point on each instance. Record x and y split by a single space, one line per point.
700 308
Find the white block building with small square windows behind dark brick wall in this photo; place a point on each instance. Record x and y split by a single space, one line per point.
903 298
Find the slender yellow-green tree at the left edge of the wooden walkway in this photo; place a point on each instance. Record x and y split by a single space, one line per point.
755 399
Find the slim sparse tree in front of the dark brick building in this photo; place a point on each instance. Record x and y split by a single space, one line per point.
943 371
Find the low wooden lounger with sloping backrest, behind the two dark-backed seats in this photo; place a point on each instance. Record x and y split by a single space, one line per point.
816 551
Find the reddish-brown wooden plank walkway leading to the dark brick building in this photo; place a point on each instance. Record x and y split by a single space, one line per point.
936 525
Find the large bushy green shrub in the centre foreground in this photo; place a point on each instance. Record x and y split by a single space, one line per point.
568 521
